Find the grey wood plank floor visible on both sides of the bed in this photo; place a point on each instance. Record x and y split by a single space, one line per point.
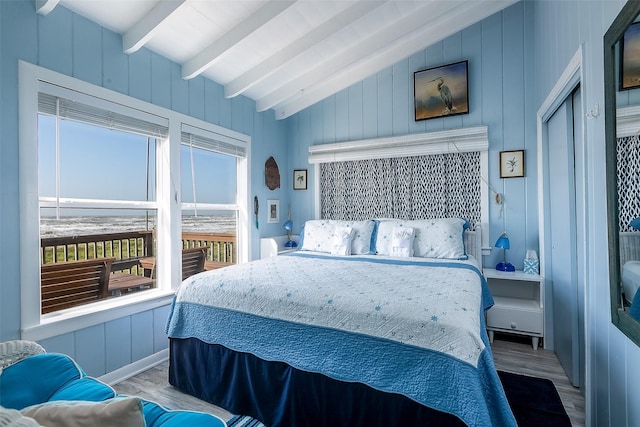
510 354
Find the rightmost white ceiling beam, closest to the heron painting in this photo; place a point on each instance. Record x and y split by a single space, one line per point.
390 53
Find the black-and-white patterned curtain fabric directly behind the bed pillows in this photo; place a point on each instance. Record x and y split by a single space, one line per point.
437 186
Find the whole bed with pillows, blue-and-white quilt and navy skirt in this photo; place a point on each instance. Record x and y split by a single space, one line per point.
370 323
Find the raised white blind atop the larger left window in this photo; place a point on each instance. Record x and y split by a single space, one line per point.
101 113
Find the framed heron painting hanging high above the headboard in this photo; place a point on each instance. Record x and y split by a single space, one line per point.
441 91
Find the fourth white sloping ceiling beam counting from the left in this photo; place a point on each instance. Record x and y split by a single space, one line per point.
277 61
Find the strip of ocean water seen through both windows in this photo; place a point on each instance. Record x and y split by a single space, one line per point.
84 225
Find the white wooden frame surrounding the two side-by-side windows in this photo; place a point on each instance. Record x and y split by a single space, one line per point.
35 326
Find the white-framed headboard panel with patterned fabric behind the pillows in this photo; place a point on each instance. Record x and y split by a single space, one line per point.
430 175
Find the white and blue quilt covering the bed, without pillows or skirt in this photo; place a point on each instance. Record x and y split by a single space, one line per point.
412 326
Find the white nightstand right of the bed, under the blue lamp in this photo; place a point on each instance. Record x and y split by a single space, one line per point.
519 304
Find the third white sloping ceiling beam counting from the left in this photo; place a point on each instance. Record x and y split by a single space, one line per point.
213 52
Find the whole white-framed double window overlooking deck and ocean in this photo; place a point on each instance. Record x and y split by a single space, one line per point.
96 162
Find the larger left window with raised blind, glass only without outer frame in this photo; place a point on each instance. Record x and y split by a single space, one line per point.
96 186
